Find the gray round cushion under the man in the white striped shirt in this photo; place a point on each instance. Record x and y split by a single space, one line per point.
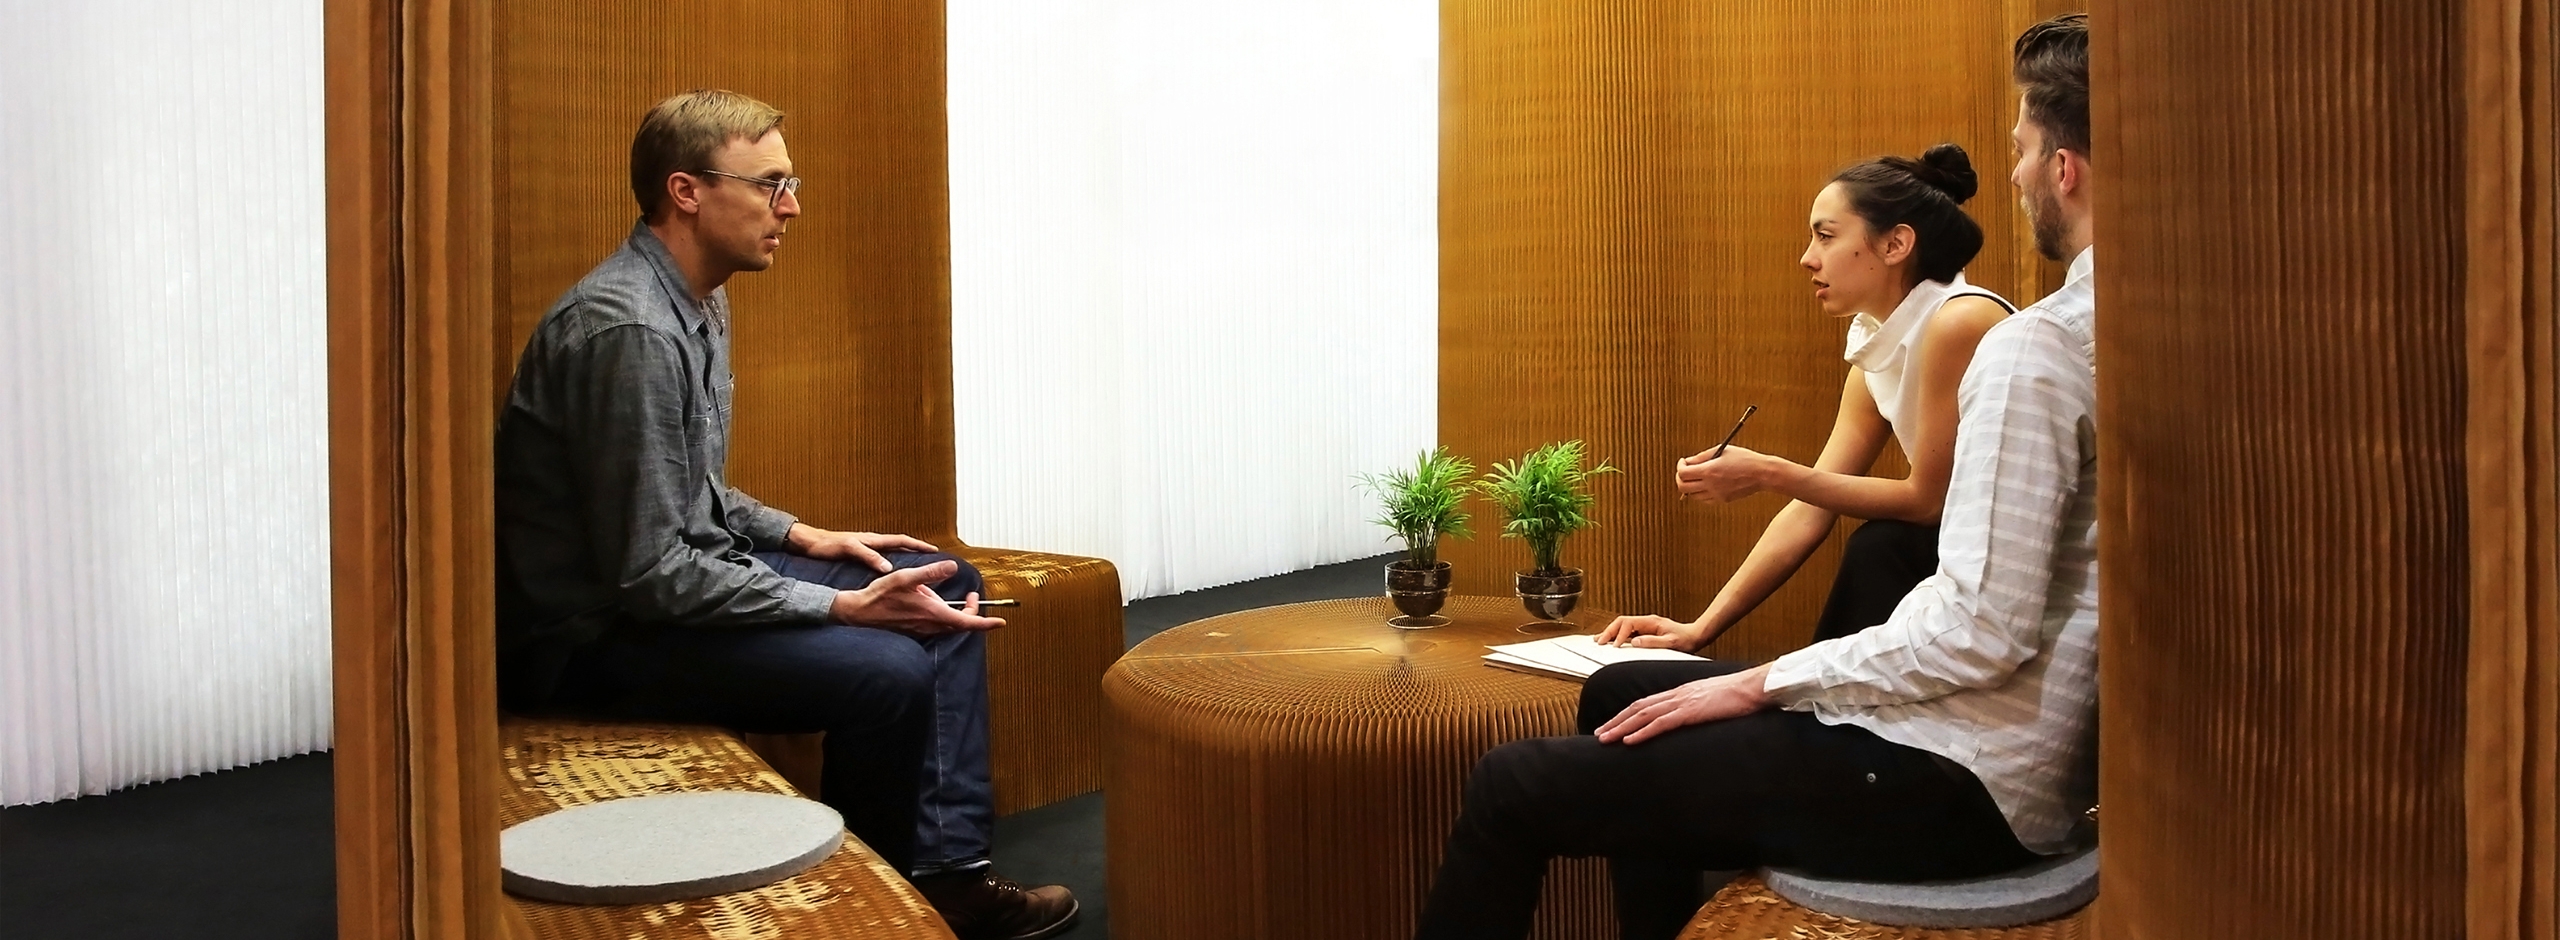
2029 895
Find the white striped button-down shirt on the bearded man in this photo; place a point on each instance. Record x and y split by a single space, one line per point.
1993 662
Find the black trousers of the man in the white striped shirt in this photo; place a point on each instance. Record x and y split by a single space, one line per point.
1760 790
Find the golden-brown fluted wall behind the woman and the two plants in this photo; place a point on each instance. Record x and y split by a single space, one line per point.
1624 193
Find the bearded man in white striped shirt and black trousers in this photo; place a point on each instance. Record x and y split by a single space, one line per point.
1955 739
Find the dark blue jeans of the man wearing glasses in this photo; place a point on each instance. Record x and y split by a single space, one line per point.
905 718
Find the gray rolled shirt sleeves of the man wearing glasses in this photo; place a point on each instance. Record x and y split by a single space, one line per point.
631 444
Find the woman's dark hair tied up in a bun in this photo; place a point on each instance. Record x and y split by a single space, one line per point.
1926 196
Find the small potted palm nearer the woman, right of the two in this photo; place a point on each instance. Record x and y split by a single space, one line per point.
1545 501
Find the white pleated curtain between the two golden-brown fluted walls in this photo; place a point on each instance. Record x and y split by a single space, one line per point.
1194 278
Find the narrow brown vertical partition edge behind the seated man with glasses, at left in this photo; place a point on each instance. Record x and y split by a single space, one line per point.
411 552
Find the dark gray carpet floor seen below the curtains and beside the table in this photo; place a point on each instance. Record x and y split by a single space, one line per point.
247 854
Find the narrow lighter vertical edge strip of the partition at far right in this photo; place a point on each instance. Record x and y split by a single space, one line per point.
2513 706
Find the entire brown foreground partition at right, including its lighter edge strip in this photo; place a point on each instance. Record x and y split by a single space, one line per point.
2326 362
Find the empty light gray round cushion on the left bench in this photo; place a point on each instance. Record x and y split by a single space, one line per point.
667 847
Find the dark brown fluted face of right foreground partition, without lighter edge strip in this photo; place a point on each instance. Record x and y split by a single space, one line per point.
2282 467
